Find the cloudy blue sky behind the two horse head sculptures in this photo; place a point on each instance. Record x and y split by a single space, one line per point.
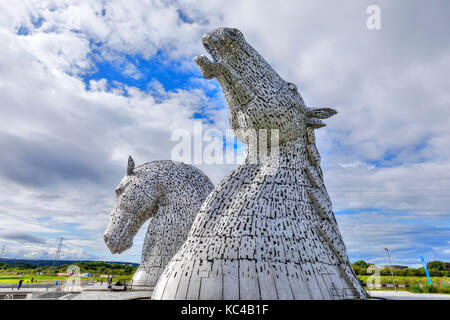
83 85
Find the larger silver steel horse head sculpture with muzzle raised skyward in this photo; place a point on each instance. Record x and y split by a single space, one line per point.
267 231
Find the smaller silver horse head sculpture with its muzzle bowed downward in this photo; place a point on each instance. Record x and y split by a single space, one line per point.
170 193
